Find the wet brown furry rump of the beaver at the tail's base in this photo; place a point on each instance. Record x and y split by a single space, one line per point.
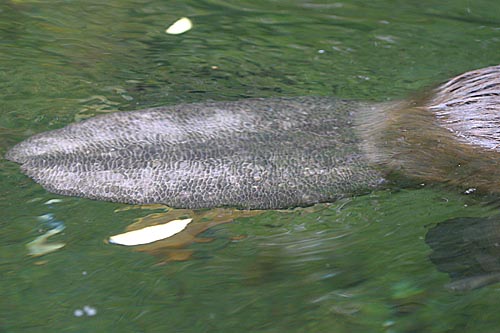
451 136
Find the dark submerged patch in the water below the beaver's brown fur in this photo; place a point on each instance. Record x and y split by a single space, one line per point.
468 249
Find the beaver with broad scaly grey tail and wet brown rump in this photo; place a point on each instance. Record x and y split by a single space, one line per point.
275 153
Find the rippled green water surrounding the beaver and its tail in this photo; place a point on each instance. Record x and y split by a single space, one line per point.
359 265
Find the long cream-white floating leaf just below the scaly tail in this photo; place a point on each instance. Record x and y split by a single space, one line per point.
150 234
